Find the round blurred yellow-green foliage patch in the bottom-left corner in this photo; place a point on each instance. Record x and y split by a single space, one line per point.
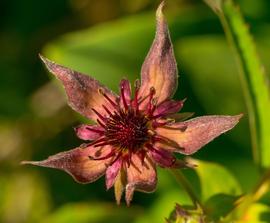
23 198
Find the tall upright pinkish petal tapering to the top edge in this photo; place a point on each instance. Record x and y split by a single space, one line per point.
159 69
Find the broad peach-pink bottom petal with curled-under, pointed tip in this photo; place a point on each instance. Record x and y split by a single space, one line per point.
141 176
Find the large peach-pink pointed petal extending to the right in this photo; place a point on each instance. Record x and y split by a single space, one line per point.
189 136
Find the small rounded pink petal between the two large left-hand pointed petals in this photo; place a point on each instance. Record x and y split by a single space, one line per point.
89 132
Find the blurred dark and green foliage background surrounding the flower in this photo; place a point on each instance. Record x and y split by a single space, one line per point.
109 39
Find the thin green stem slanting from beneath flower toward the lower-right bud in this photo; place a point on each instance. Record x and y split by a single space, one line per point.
183 181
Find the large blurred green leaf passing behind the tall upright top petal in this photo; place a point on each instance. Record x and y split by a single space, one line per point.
112 50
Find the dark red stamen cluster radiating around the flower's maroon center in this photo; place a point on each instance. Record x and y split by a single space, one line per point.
128 128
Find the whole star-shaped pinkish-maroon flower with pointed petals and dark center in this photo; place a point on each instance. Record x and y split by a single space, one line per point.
135 133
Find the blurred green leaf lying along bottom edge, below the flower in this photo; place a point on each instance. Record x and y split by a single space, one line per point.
93 213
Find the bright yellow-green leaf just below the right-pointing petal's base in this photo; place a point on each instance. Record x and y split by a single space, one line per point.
215 179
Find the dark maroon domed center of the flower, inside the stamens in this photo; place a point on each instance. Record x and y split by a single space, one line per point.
127 129
